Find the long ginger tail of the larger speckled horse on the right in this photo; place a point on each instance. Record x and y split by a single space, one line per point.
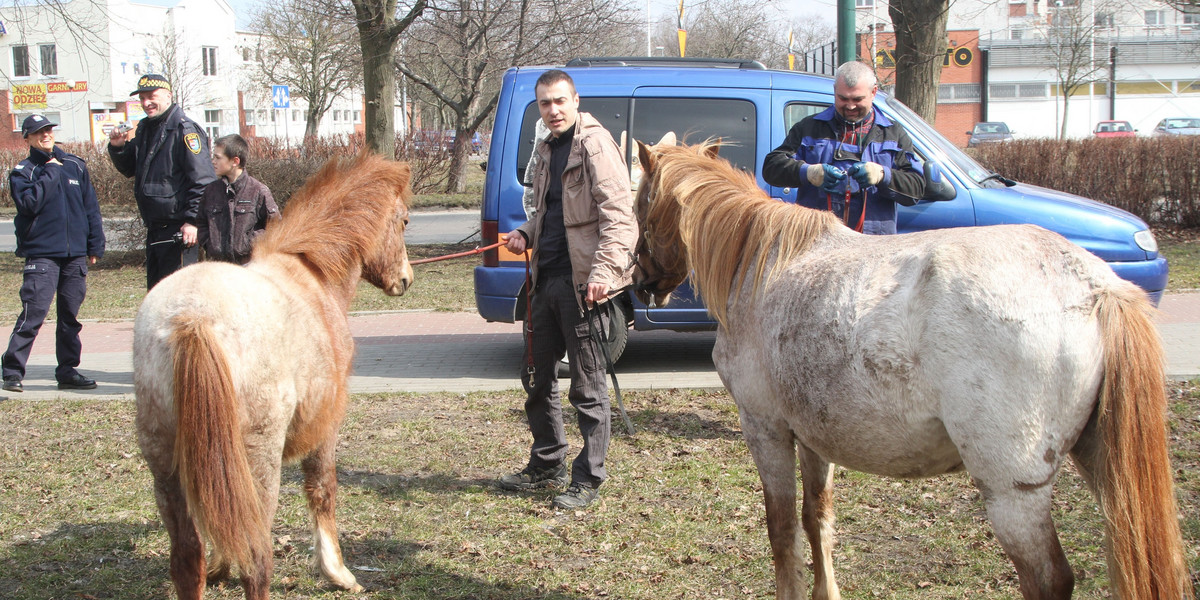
1133 473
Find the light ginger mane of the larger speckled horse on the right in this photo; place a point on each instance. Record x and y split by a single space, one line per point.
728 224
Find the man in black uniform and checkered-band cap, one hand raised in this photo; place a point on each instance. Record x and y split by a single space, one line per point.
170 161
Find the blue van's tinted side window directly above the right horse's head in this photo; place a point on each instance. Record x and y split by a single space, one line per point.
695 121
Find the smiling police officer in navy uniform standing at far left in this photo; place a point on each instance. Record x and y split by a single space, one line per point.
58 235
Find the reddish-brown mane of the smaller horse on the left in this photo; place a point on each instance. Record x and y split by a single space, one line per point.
335 219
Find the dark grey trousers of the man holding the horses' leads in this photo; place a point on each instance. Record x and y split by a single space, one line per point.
560 328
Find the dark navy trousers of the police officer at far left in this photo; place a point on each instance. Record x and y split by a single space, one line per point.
45 278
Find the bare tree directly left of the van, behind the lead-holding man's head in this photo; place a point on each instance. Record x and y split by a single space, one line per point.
459 51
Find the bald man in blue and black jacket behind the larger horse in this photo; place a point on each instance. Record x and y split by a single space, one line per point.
850 159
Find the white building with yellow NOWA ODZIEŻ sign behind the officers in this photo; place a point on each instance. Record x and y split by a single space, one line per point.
79 63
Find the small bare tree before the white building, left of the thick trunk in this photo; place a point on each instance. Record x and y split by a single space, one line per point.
310 51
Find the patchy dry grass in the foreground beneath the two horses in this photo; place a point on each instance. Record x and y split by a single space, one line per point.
681 517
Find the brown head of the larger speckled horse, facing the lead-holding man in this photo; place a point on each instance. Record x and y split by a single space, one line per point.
662 255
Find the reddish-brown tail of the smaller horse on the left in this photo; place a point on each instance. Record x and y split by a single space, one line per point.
211 454
